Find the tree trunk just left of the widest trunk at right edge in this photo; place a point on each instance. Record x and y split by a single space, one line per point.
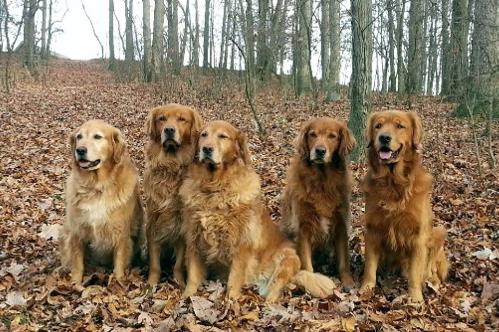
459 47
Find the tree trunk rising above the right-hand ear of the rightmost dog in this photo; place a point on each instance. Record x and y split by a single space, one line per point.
415 51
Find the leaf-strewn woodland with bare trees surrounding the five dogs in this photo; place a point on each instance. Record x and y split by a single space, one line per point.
267 66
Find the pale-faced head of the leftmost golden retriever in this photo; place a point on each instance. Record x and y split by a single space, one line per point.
96 143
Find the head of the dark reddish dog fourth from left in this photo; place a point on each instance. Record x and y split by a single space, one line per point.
323 140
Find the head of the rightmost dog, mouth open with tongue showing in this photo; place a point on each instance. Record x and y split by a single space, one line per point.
393 133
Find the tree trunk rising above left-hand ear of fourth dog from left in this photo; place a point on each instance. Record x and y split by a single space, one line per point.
303 78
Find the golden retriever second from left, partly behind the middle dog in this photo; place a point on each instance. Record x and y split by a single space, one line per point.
172 130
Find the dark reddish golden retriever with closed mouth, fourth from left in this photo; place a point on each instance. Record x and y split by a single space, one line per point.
316 200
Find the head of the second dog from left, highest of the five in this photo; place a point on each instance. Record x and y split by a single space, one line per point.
173 125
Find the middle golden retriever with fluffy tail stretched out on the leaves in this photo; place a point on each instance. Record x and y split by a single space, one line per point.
226 225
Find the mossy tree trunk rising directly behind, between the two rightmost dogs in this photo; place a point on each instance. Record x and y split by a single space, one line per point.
361 71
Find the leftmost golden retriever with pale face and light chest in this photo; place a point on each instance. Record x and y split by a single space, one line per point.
103 207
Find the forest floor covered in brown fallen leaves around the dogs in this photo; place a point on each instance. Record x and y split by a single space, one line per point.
36 119
